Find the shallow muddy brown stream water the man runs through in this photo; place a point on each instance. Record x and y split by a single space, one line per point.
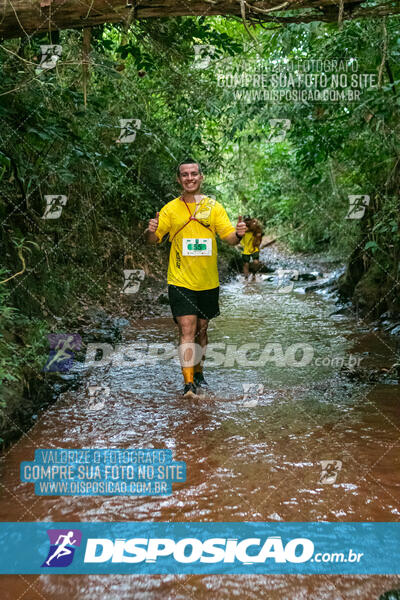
259 461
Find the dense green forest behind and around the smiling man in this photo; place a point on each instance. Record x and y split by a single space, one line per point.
59 137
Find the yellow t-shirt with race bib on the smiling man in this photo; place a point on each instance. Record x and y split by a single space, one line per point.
193 255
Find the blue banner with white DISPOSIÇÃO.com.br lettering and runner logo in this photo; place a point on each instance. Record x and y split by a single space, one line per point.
199 548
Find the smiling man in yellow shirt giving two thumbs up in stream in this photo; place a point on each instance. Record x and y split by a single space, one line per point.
192 222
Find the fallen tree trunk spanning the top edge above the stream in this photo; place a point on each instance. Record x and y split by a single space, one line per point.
26 17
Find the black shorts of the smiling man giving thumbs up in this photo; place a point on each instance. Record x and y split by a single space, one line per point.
183 302
